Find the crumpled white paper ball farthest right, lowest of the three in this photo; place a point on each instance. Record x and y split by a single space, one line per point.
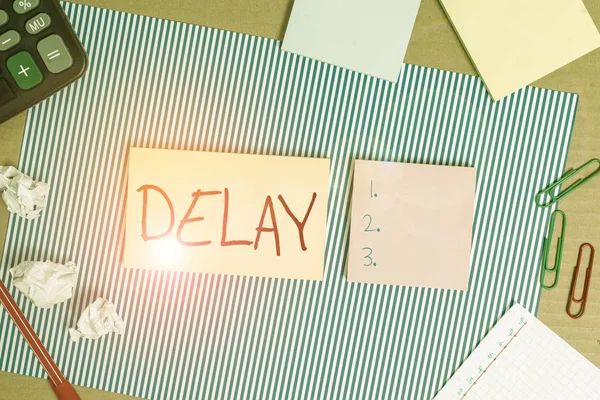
98 319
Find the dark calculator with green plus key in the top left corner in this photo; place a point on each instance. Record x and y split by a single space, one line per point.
39 54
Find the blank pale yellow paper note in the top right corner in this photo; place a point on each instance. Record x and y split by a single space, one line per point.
513 43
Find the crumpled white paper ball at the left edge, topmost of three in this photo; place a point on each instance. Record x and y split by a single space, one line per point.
22 195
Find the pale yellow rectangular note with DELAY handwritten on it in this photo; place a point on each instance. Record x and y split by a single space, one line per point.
226 213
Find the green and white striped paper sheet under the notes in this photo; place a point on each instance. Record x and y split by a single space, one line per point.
162 84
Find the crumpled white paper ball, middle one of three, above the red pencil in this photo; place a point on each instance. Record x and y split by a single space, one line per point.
45 283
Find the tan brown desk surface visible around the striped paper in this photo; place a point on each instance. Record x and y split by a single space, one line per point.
433 44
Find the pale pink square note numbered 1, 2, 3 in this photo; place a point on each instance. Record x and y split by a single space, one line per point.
411 224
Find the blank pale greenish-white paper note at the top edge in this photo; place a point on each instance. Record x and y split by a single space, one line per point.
365 36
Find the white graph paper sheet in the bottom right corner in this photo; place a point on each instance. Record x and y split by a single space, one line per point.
521 358
